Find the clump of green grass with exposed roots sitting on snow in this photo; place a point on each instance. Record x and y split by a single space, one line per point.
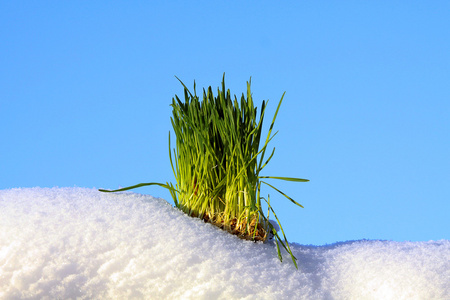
217 162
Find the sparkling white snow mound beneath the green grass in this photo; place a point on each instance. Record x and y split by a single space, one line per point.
78 243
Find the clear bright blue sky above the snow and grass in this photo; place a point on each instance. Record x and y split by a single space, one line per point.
85 89
